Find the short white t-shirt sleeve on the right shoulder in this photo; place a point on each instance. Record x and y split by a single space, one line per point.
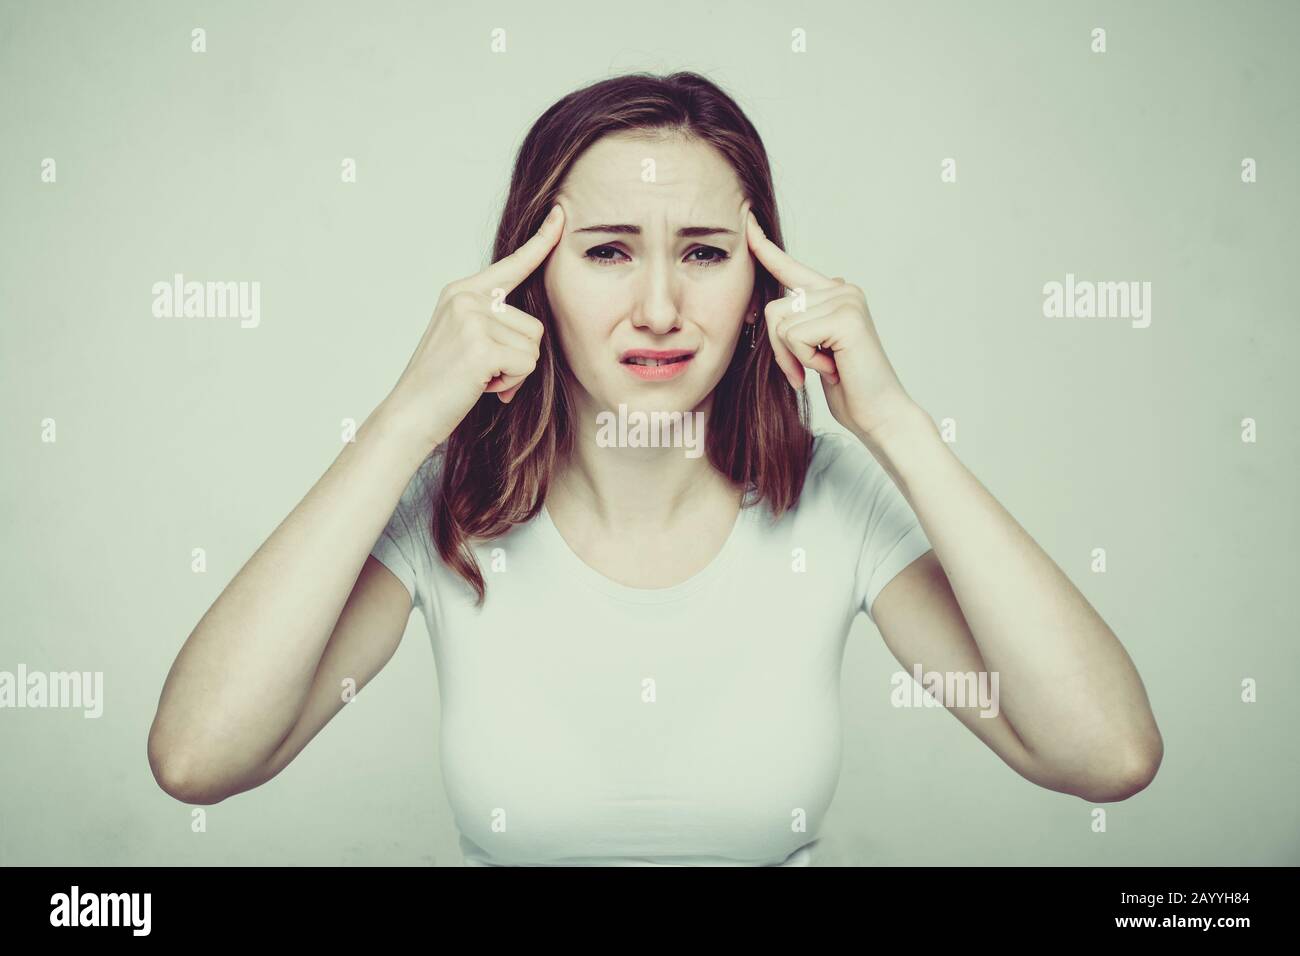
873 505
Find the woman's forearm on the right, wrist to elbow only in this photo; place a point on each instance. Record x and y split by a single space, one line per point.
1067 685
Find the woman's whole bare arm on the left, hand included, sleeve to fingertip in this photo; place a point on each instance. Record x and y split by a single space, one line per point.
263 671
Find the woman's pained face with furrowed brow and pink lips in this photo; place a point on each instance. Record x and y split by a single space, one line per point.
653 259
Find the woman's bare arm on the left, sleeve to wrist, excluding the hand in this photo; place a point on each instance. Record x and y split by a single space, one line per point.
235 695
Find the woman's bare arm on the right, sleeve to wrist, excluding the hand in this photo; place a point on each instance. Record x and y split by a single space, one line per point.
1073 712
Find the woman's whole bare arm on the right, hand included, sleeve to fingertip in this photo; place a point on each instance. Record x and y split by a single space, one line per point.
1074 715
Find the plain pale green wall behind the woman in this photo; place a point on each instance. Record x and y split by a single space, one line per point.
175 434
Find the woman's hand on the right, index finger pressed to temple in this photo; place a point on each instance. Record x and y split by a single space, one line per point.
825 326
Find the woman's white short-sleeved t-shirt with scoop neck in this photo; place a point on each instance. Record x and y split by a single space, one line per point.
586 723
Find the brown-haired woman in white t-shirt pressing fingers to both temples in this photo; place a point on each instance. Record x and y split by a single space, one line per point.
639 633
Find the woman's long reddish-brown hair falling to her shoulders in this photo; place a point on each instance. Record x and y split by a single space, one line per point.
499 464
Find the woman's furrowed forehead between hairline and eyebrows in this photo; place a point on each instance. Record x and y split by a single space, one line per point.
632 178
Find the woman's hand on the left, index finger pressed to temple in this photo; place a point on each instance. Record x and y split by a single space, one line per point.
475 343
